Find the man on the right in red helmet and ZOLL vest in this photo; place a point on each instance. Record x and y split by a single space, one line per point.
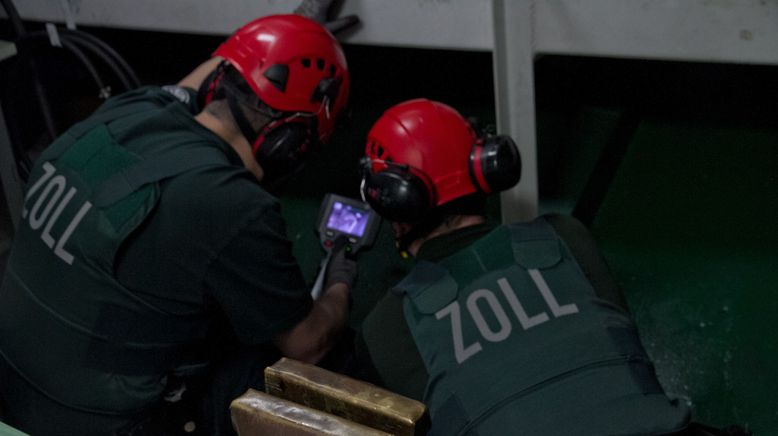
512 329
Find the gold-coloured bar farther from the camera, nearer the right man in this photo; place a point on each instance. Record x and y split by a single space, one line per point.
346 397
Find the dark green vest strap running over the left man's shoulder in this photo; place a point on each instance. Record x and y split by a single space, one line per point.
152 170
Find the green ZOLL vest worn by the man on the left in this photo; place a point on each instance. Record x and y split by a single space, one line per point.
66 320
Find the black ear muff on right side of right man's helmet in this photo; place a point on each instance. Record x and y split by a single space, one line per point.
495 164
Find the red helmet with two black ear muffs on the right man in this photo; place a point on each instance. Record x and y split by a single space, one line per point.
422 154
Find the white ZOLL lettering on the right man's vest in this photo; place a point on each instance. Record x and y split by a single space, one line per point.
462 353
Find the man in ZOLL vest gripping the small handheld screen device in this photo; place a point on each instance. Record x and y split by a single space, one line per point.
151 252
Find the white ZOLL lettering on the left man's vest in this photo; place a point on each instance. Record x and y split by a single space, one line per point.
49 200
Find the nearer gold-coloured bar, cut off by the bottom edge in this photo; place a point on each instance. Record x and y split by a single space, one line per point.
259 414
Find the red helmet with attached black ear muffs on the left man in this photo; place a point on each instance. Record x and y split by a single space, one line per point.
299 72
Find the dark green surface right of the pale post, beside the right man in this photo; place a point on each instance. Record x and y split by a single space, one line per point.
688 224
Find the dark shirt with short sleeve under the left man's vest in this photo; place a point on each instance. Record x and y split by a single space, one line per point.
216 242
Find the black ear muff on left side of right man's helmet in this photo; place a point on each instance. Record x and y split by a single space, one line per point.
397 194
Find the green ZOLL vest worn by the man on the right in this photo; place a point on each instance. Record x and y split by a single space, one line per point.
515 342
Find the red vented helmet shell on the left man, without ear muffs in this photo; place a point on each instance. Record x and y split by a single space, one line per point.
293 64
